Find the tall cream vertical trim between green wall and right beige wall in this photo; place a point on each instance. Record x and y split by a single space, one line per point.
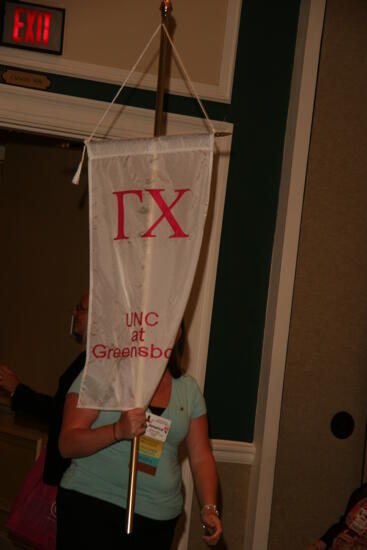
283 268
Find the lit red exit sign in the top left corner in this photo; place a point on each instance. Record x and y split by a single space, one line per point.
32 26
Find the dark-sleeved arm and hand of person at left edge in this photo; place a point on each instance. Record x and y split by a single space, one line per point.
23 398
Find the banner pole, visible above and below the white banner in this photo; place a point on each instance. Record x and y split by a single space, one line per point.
165 8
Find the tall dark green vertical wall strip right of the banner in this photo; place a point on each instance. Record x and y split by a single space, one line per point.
259 111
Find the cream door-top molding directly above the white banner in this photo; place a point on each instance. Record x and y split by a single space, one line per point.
73 117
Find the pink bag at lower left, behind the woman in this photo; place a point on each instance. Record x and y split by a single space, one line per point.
32 518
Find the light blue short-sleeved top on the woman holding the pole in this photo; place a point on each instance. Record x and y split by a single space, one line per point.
105 474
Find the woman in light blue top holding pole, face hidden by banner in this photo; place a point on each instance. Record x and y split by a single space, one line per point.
92 493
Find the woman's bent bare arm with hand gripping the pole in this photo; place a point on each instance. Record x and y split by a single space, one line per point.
78 438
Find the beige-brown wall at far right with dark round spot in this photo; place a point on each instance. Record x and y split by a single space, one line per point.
327 352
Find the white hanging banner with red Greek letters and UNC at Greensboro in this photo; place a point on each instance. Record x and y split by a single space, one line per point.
148 200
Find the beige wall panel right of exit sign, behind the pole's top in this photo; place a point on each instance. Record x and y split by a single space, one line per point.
118 31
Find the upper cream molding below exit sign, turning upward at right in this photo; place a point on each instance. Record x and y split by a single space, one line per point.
53 64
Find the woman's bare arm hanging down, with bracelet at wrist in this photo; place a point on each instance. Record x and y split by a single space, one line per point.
205 476
